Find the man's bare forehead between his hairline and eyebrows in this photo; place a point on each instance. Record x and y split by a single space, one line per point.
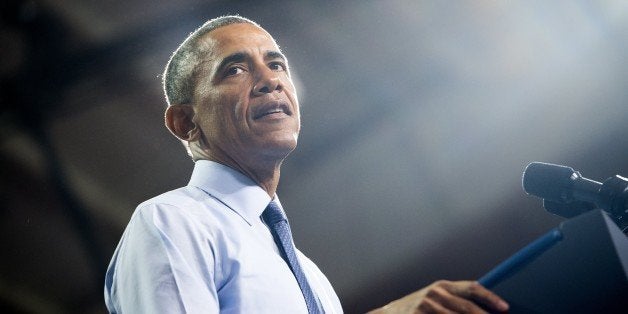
241 37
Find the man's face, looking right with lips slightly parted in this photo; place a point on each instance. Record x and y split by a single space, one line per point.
244 100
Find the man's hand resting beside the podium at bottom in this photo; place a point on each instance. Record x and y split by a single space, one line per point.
447 297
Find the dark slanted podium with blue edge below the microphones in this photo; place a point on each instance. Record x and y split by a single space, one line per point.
579 267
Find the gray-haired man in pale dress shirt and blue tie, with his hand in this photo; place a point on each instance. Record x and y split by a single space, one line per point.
211 246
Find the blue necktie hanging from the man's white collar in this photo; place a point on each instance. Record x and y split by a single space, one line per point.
278 224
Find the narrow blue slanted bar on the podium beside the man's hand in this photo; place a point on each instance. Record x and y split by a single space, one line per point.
521 258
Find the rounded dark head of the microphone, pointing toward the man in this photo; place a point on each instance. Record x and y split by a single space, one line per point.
549 181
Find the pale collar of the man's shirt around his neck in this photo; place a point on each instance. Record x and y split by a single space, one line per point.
232 188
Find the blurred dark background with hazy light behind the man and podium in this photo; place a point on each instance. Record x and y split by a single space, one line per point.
418 120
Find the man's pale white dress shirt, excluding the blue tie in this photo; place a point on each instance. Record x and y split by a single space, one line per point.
204 248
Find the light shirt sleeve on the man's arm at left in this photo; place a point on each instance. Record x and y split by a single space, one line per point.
163 264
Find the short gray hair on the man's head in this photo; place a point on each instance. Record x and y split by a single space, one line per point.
178 77
